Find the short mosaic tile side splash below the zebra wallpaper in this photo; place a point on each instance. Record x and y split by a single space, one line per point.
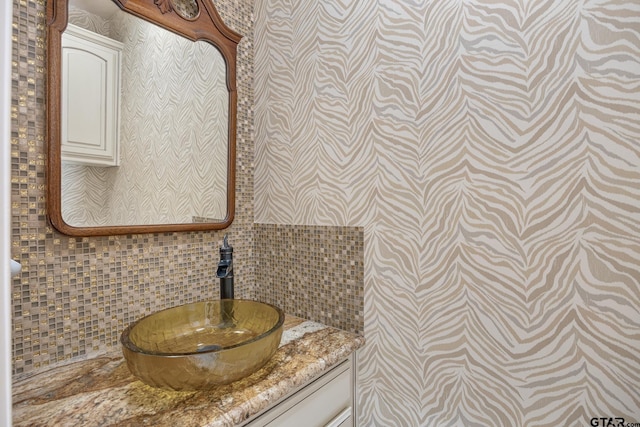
314 272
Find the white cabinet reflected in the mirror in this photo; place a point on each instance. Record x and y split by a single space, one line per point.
90 97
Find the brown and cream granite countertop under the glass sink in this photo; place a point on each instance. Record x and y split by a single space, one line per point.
101 391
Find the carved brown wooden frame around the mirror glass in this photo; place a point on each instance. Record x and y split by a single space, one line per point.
205 24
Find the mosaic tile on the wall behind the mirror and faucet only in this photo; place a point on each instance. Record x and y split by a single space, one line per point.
76 295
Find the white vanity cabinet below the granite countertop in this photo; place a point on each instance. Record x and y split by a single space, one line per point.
328 401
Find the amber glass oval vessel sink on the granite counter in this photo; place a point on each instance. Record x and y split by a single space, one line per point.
202 345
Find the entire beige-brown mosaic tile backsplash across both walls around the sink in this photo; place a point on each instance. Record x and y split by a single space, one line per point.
75 295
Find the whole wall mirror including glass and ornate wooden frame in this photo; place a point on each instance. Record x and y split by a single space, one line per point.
141 116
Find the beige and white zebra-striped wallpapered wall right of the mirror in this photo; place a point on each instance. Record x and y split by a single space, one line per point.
491 150
